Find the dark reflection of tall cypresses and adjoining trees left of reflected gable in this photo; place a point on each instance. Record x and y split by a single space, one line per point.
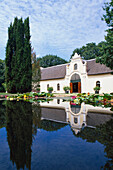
22 121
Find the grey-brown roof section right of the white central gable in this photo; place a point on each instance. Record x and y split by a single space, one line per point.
96 68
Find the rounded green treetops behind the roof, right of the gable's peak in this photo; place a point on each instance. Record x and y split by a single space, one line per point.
90 51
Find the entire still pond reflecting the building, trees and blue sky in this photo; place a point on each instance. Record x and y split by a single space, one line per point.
55 135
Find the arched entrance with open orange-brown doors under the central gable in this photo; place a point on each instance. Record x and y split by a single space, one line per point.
75 84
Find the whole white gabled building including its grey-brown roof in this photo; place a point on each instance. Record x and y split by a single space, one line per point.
81 75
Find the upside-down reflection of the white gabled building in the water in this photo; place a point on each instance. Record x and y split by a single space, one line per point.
78 116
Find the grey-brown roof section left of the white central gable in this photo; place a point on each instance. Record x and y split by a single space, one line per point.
54 72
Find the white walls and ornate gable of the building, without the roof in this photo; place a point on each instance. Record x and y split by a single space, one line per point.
77 77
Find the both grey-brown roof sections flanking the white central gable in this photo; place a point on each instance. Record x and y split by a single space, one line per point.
59 71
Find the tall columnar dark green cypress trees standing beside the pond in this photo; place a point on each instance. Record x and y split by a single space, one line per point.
18 57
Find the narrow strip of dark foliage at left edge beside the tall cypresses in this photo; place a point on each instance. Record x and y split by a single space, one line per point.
2 76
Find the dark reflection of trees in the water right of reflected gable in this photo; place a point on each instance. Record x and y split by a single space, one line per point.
104 135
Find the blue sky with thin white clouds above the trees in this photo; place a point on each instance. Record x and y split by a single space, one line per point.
57 26
